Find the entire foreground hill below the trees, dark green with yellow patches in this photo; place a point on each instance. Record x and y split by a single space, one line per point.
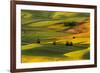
55 53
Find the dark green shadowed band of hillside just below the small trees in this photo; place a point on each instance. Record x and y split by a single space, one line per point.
53 50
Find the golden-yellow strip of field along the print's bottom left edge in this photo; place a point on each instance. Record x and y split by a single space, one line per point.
31 59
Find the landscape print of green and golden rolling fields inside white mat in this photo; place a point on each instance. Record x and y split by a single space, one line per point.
48 36
